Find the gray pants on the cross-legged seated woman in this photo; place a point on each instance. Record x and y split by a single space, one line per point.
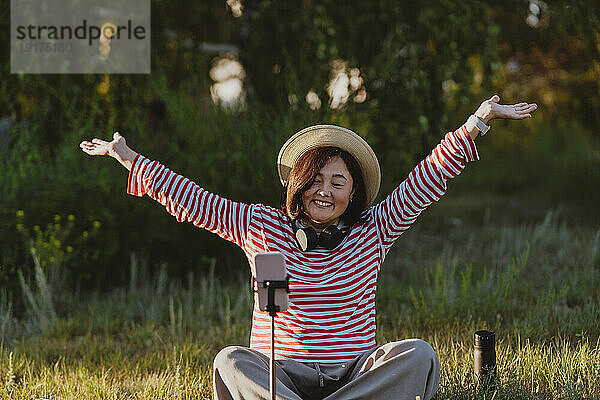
396 370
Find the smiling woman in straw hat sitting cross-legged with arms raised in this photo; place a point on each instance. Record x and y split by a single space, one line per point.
333 245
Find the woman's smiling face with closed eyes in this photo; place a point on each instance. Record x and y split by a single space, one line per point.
329 194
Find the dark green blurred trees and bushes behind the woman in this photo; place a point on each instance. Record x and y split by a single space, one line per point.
424 69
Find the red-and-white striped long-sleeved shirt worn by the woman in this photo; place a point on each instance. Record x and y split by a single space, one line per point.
331 314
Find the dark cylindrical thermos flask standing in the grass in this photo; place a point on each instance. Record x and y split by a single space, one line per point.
484 360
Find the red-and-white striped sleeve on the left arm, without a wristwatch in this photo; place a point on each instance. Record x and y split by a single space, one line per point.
187 201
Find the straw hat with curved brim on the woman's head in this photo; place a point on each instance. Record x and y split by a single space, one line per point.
331 135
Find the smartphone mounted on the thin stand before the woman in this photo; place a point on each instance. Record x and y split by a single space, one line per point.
271 267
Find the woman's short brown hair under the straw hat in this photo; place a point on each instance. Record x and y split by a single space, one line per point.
303 174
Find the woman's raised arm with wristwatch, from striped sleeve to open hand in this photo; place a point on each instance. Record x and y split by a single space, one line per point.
426 183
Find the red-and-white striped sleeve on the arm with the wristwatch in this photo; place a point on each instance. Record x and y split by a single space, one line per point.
424 185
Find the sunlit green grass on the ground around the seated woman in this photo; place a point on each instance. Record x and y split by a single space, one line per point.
534 282
